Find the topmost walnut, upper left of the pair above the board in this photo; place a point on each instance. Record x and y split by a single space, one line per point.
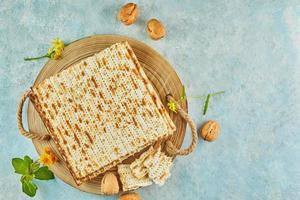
128 13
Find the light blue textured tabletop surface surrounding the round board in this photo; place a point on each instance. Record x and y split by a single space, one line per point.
249 48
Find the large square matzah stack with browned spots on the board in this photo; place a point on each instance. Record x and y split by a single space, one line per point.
101 111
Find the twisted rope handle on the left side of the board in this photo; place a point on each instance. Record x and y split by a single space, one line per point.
27 134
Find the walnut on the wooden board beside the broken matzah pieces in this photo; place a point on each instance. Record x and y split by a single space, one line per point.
109 184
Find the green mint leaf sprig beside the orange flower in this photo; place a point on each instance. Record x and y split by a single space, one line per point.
30 170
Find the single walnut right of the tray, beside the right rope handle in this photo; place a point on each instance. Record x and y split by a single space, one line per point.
210 131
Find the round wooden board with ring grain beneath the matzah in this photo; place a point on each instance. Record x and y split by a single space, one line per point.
158 70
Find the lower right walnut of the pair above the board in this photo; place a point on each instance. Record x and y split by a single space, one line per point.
155 29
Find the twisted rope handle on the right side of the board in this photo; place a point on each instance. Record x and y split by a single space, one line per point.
170 147
